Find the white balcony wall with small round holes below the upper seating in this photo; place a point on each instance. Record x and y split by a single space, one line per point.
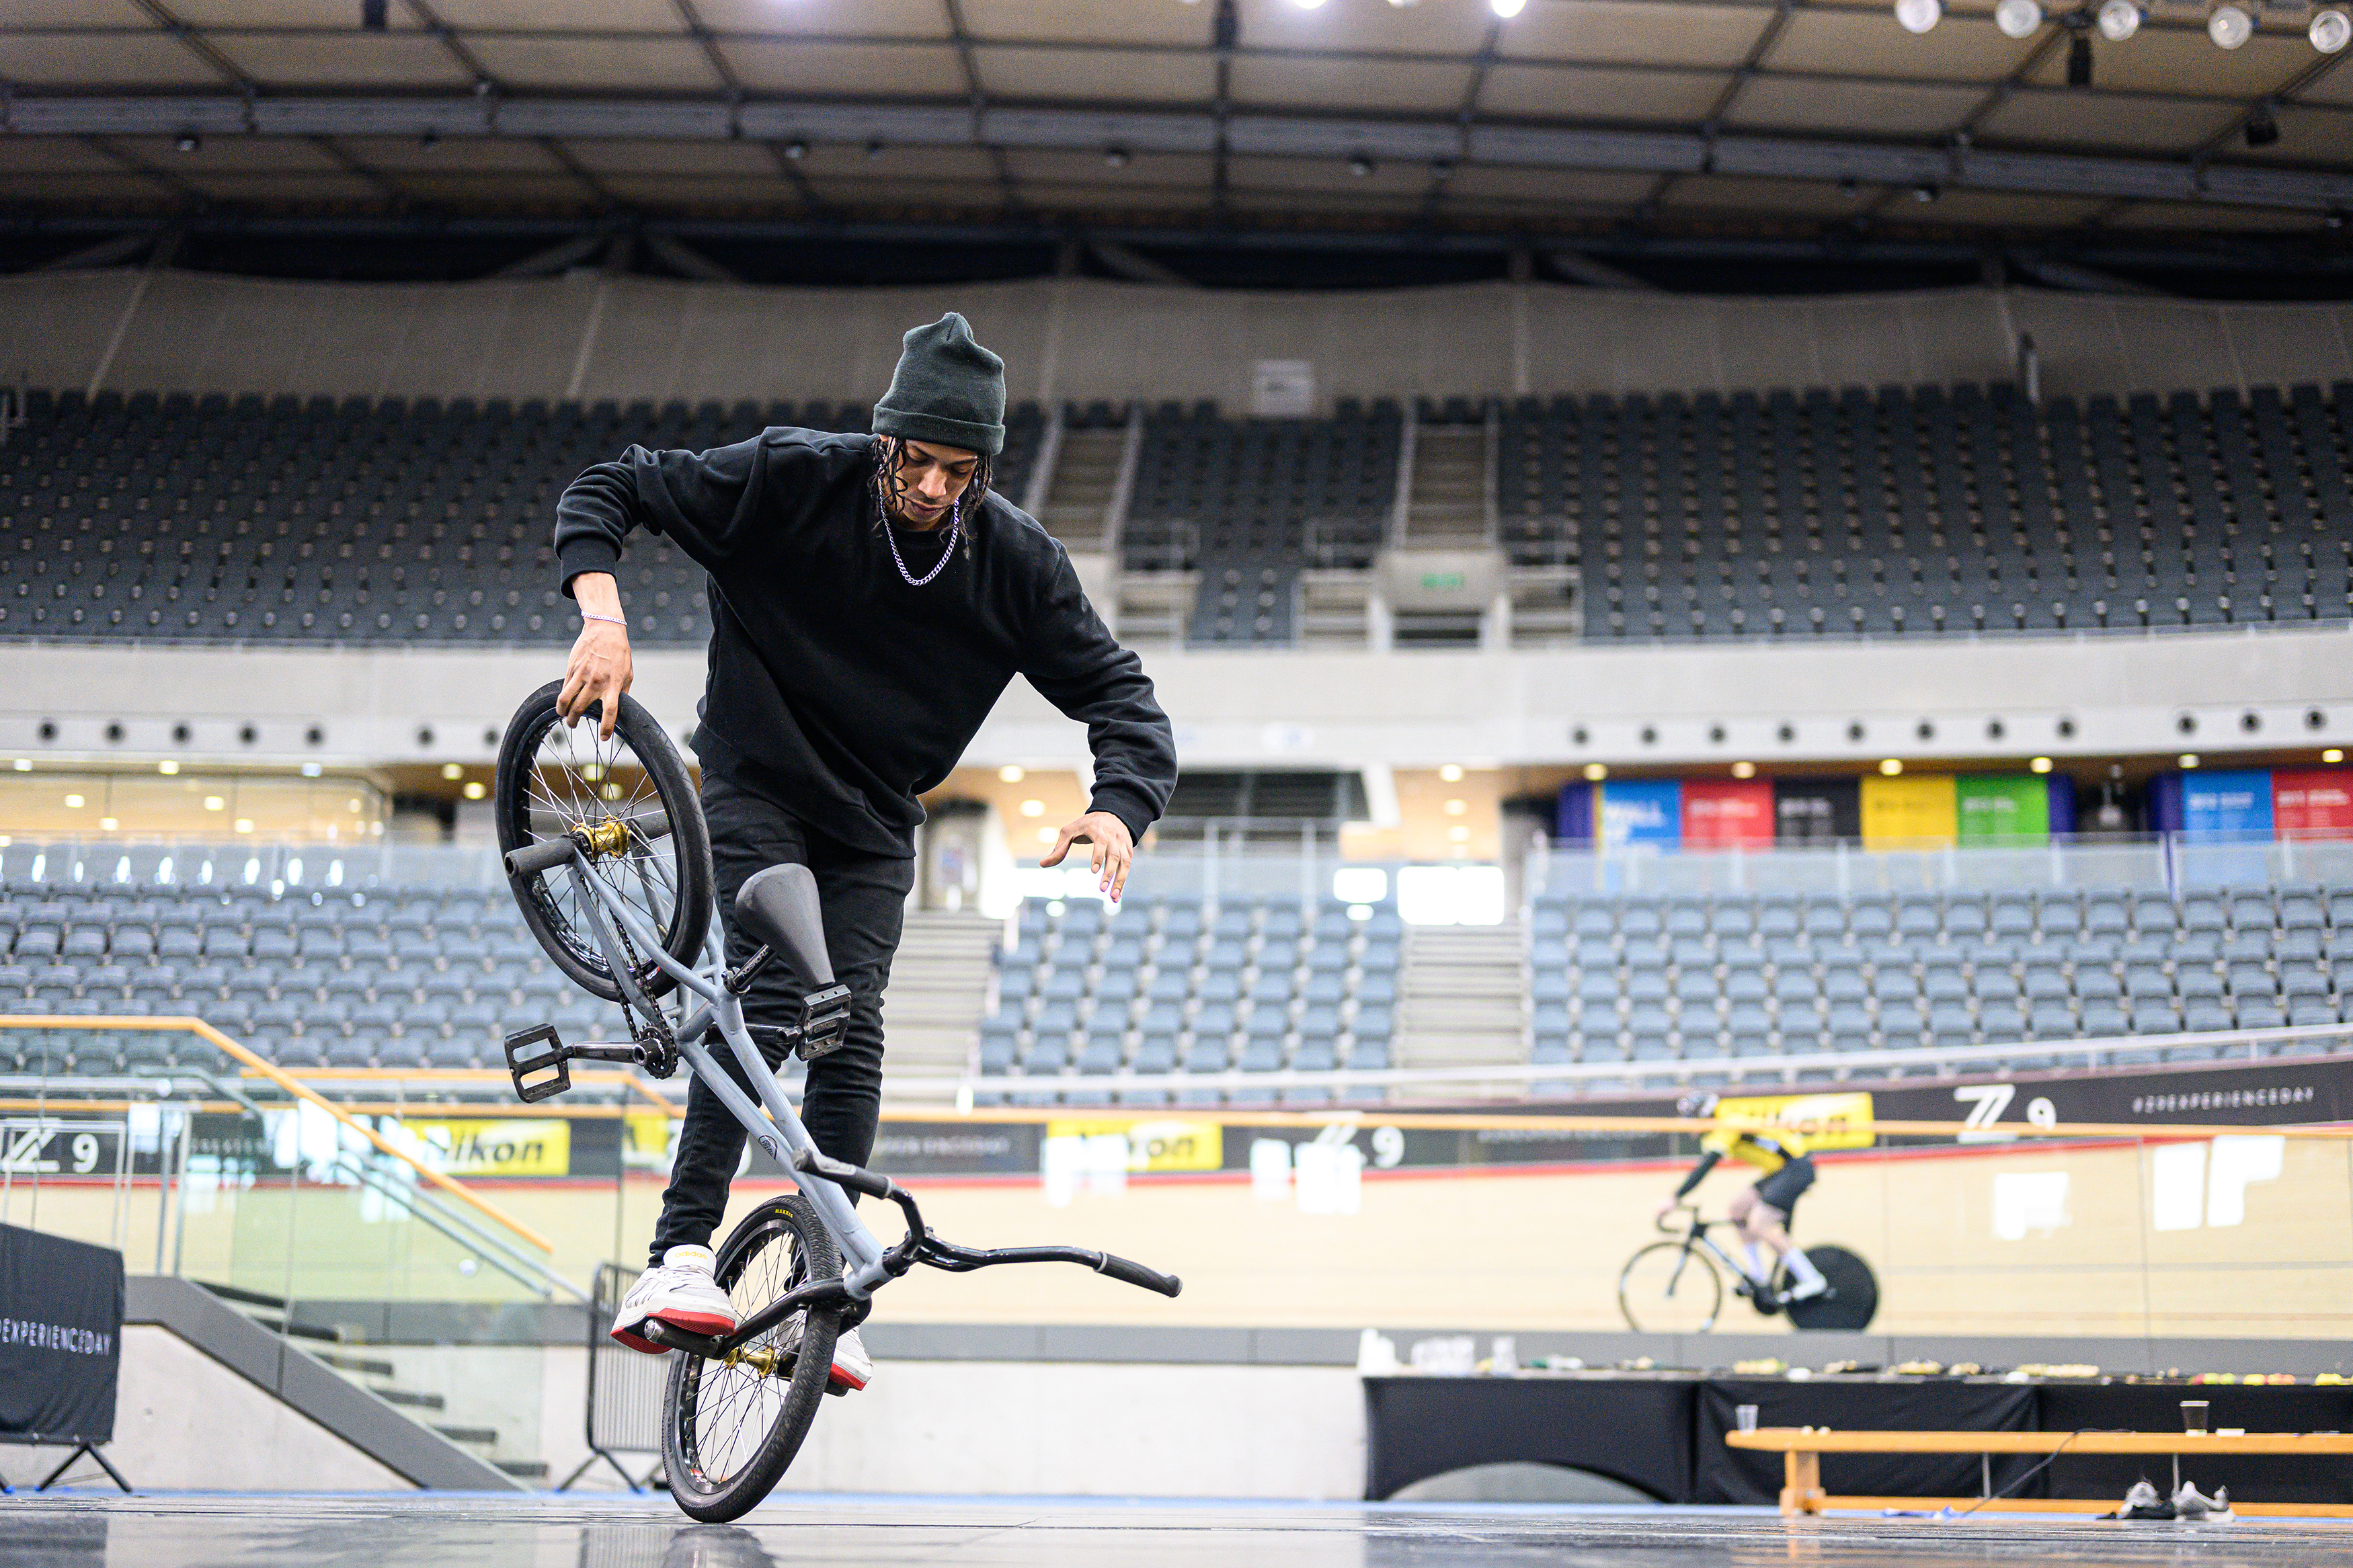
2121 695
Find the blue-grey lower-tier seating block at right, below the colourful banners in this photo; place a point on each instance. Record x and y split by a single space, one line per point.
1646 979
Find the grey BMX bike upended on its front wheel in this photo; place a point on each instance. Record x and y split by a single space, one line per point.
611 859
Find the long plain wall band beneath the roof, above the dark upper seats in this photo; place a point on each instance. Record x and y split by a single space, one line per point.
641 337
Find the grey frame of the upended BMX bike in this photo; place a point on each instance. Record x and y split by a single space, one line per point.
778 1132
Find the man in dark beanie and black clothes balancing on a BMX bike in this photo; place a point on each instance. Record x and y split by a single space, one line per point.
872 598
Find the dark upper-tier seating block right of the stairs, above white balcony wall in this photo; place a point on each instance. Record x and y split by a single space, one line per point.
1933 511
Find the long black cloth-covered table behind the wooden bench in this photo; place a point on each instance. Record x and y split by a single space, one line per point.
1665 1433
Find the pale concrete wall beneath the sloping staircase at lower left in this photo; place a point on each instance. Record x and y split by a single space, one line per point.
189 1423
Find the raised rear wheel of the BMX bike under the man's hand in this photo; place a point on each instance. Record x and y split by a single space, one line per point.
556 779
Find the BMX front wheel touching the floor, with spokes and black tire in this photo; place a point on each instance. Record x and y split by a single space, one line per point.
731 1428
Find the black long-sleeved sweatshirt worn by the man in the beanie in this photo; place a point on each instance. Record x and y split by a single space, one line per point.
836 688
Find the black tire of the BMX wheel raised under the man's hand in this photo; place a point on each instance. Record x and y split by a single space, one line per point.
676 793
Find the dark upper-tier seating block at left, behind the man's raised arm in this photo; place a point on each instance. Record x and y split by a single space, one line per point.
356 521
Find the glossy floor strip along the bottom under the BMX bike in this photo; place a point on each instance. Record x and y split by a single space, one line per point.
462 1532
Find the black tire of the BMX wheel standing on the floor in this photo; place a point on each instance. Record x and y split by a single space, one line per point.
813 1372
